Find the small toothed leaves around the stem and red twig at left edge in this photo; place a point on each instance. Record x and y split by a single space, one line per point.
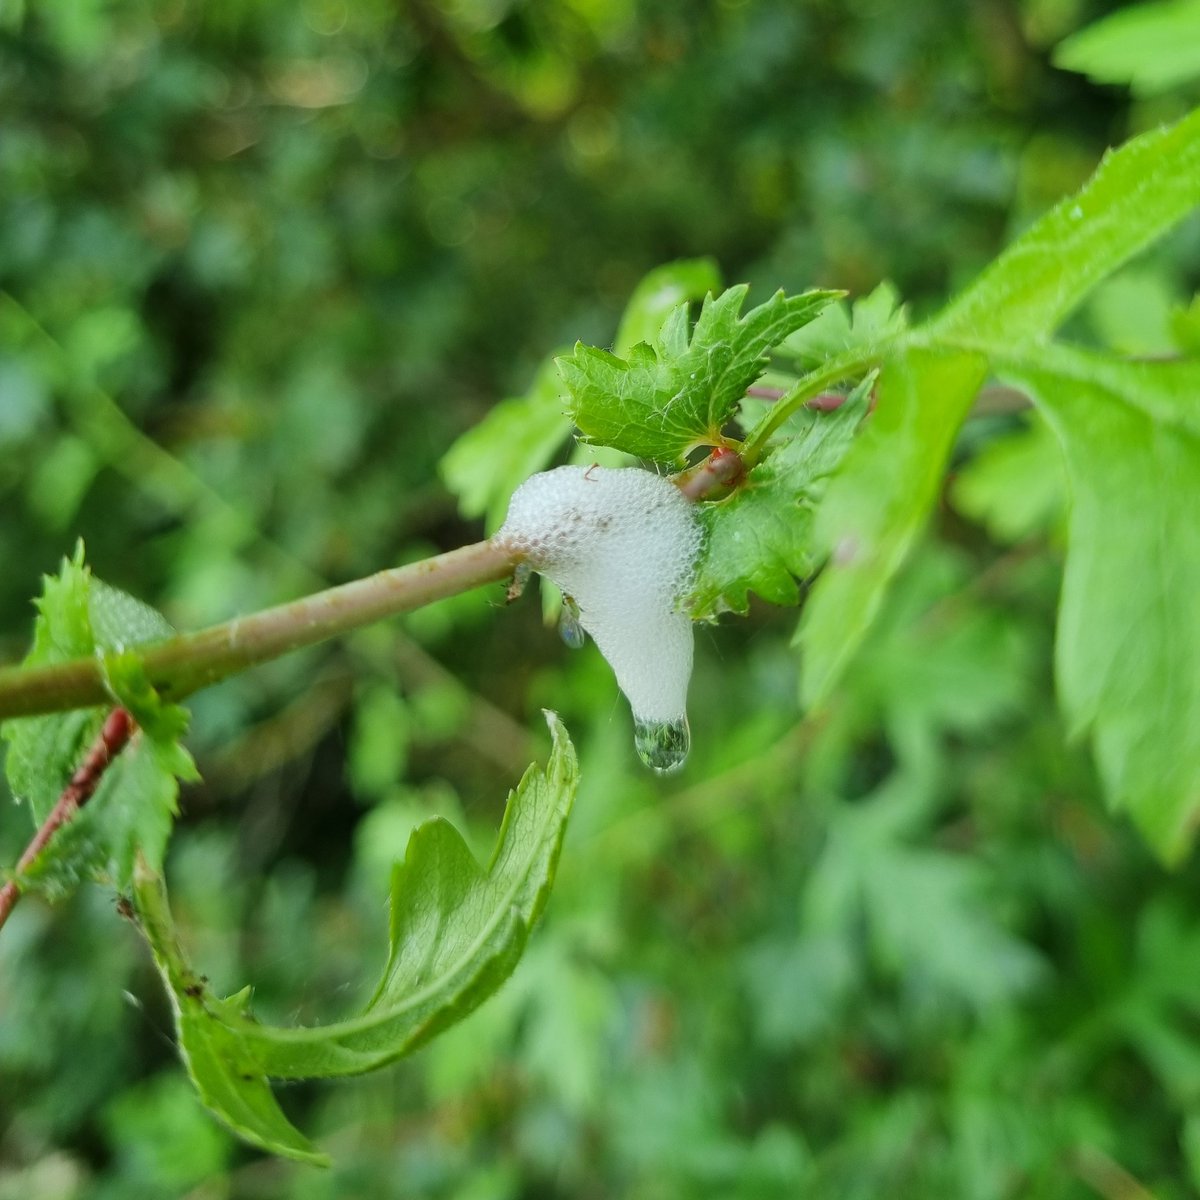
136 802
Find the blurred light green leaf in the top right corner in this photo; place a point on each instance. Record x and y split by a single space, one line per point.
1153 47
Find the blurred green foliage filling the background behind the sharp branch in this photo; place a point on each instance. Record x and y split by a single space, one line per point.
261 265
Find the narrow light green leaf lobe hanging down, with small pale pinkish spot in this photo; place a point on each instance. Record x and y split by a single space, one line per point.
878 505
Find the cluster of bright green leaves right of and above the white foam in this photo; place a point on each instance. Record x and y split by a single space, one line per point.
854 495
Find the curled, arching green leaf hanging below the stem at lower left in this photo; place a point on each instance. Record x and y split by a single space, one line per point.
458 932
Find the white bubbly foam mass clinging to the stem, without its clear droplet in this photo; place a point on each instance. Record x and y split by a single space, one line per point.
623 544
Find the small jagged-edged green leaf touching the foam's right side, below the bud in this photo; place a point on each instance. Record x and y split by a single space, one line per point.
761 538
